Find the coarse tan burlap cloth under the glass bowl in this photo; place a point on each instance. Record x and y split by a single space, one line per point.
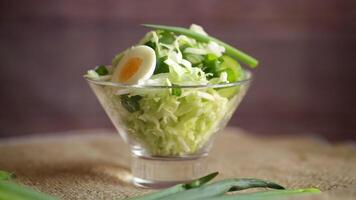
95 164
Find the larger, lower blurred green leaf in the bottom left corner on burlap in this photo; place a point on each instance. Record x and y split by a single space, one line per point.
13 191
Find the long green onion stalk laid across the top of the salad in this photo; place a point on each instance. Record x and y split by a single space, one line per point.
239 55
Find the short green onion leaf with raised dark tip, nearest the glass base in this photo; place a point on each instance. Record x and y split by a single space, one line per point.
177 188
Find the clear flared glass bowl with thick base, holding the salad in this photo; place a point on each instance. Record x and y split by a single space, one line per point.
169 130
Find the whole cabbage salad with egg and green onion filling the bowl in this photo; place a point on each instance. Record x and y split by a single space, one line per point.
173 90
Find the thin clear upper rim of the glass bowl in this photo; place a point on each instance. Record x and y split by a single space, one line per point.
137 86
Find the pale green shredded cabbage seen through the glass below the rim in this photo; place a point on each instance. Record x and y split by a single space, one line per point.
172 125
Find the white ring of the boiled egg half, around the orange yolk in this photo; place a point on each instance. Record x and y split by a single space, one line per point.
146 69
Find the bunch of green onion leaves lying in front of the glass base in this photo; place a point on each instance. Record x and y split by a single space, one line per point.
198 190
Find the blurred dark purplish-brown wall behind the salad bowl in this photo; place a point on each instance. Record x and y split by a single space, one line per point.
305 83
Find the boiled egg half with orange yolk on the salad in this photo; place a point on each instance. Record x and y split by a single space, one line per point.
137 64
